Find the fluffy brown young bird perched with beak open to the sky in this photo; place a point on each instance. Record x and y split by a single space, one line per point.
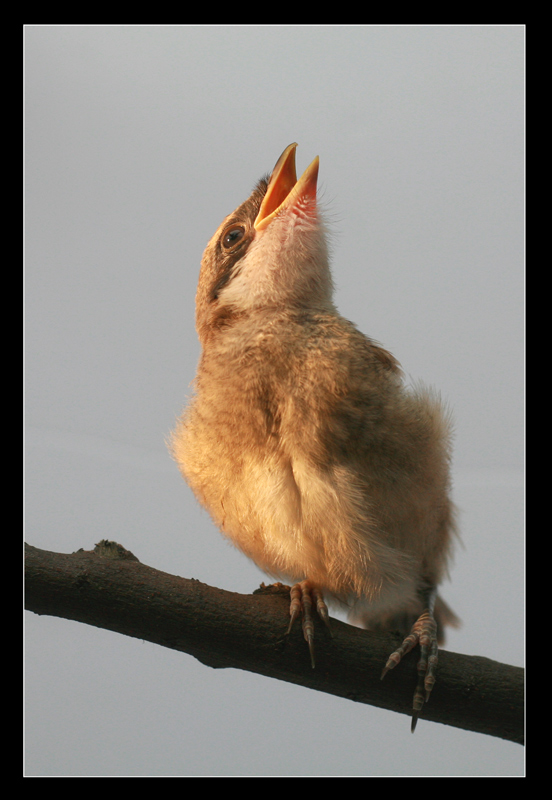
302 438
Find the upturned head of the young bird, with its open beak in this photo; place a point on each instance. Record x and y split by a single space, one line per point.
270 253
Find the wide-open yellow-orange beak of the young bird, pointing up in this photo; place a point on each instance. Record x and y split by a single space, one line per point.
284 189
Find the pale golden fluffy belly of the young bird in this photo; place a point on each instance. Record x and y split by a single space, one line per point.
296 521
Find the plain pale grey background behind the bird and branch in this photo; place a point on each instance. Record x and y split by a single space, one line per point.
139 140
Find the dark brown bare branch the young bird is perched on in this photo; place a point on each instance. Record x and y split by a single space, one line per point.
110 588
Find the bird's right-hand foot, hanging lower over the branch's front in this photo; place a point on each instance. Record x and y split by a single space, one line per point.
424 633
